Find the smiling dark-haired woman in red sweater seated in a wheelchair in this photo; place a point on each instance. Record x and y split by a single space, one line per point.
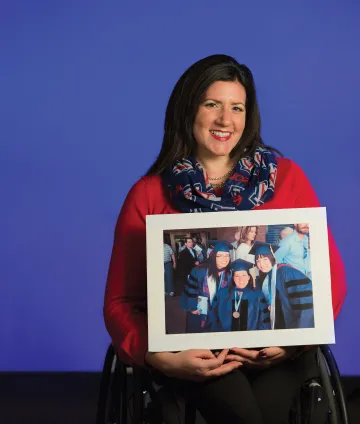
212 159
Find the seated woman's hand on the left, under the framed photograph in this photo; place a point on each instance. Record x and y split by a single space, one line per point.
196 365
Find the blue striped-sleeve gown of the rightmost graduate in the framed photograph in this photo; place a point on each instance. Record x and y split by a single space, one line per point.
293 299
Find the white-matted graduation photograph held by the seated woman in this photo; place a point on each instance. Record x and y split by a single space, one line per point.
247 279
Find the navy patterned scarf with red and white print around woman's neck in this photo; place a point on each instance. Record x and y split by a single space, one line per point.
251 184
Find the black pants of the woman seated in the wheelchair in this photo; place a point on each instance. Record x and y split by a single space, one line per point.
248 396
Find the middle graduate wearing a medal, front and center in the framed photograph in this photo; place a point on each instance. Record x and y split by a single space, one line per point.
239 308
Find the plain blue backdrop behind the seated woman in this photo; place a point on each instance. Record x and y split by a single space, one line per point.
84 86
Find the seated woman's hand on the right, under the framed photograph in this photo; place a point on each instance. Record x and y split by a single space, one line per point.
260 359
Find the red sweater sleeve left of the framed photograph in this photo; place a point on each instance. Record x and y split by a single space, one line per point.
125 295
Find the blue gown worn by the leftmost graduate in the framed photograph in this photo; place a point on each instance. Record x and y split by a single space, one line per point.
195 286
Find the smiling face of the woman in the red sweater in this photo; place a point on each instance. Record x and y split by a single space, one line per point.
220 119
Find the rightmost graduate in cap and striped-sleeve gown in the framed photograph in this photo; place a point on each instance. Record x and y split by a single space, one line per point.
287 290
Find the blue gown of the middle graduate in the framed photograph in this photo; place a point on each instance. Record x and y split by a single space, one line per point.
254 312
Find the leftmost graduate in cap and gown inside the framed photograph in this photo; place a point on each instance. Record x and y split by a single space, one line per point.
203 284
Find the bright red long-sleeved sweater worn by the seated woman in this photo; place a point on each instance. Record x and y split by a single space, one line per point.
125 296
